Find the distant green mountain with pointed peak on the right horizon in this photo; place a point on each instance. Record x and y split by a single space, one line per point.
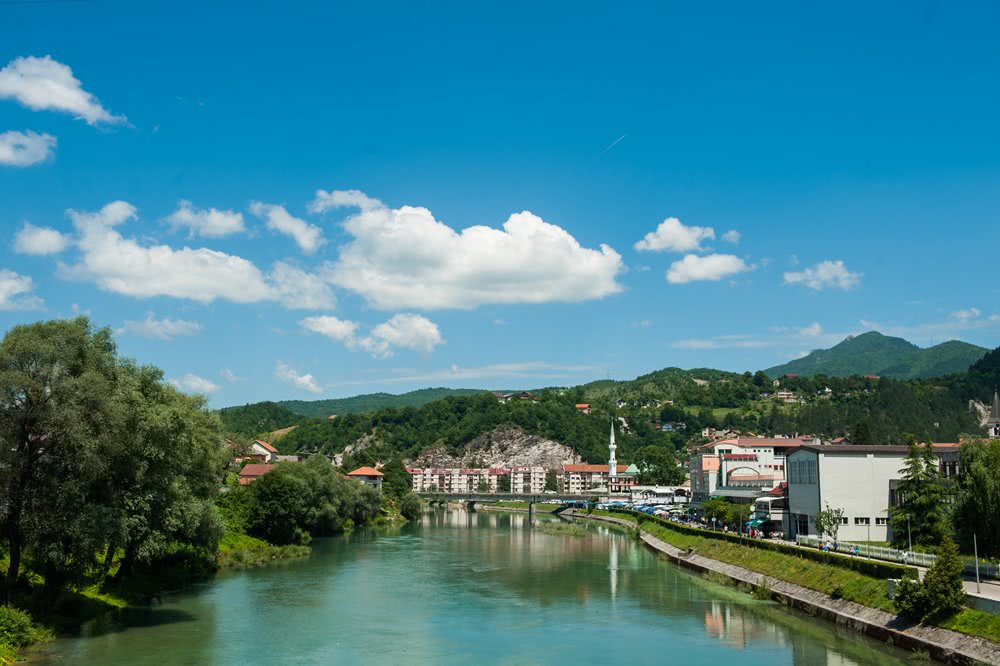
876 354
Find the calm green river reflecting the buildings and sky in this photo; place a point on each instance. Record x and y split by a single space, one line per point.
467 588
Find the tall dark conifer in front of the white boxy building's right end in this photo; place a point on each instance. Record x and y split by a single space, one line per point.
920 500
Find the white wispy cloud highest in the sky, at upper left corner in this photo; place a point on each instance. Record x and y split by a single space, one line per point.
46 84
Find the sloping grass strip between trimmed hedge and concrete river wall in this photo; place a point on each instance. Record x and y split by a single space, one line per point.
830 577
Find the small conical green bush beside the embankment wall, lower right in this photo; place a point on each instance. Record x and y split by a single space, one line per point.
941 591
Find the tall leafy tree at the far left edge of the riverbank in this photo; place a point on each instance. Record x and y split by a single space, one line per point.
56 382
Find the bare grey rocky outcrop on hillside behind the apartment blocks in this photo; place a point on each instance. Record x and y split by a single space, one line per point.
502 447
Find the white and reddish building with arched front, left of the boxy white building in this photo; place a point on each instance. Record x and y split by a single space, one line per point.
739 468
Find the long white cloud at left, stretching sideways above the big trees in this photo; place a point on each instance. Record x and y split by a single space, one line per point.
124 266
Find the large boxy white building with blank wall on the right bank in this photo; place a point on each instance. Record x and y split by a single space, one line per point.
860 480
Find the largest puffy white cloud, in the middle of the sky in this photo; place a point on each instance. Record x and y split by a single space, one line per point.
404 258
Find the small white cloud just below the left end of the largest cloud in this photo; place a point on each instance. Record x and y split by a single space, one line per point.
402 331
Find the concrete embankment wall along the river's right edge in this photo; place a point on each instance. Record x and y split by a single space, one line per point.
943 645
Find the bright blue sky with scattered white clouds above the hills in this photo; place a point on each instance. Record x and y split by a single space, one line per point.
293 200
